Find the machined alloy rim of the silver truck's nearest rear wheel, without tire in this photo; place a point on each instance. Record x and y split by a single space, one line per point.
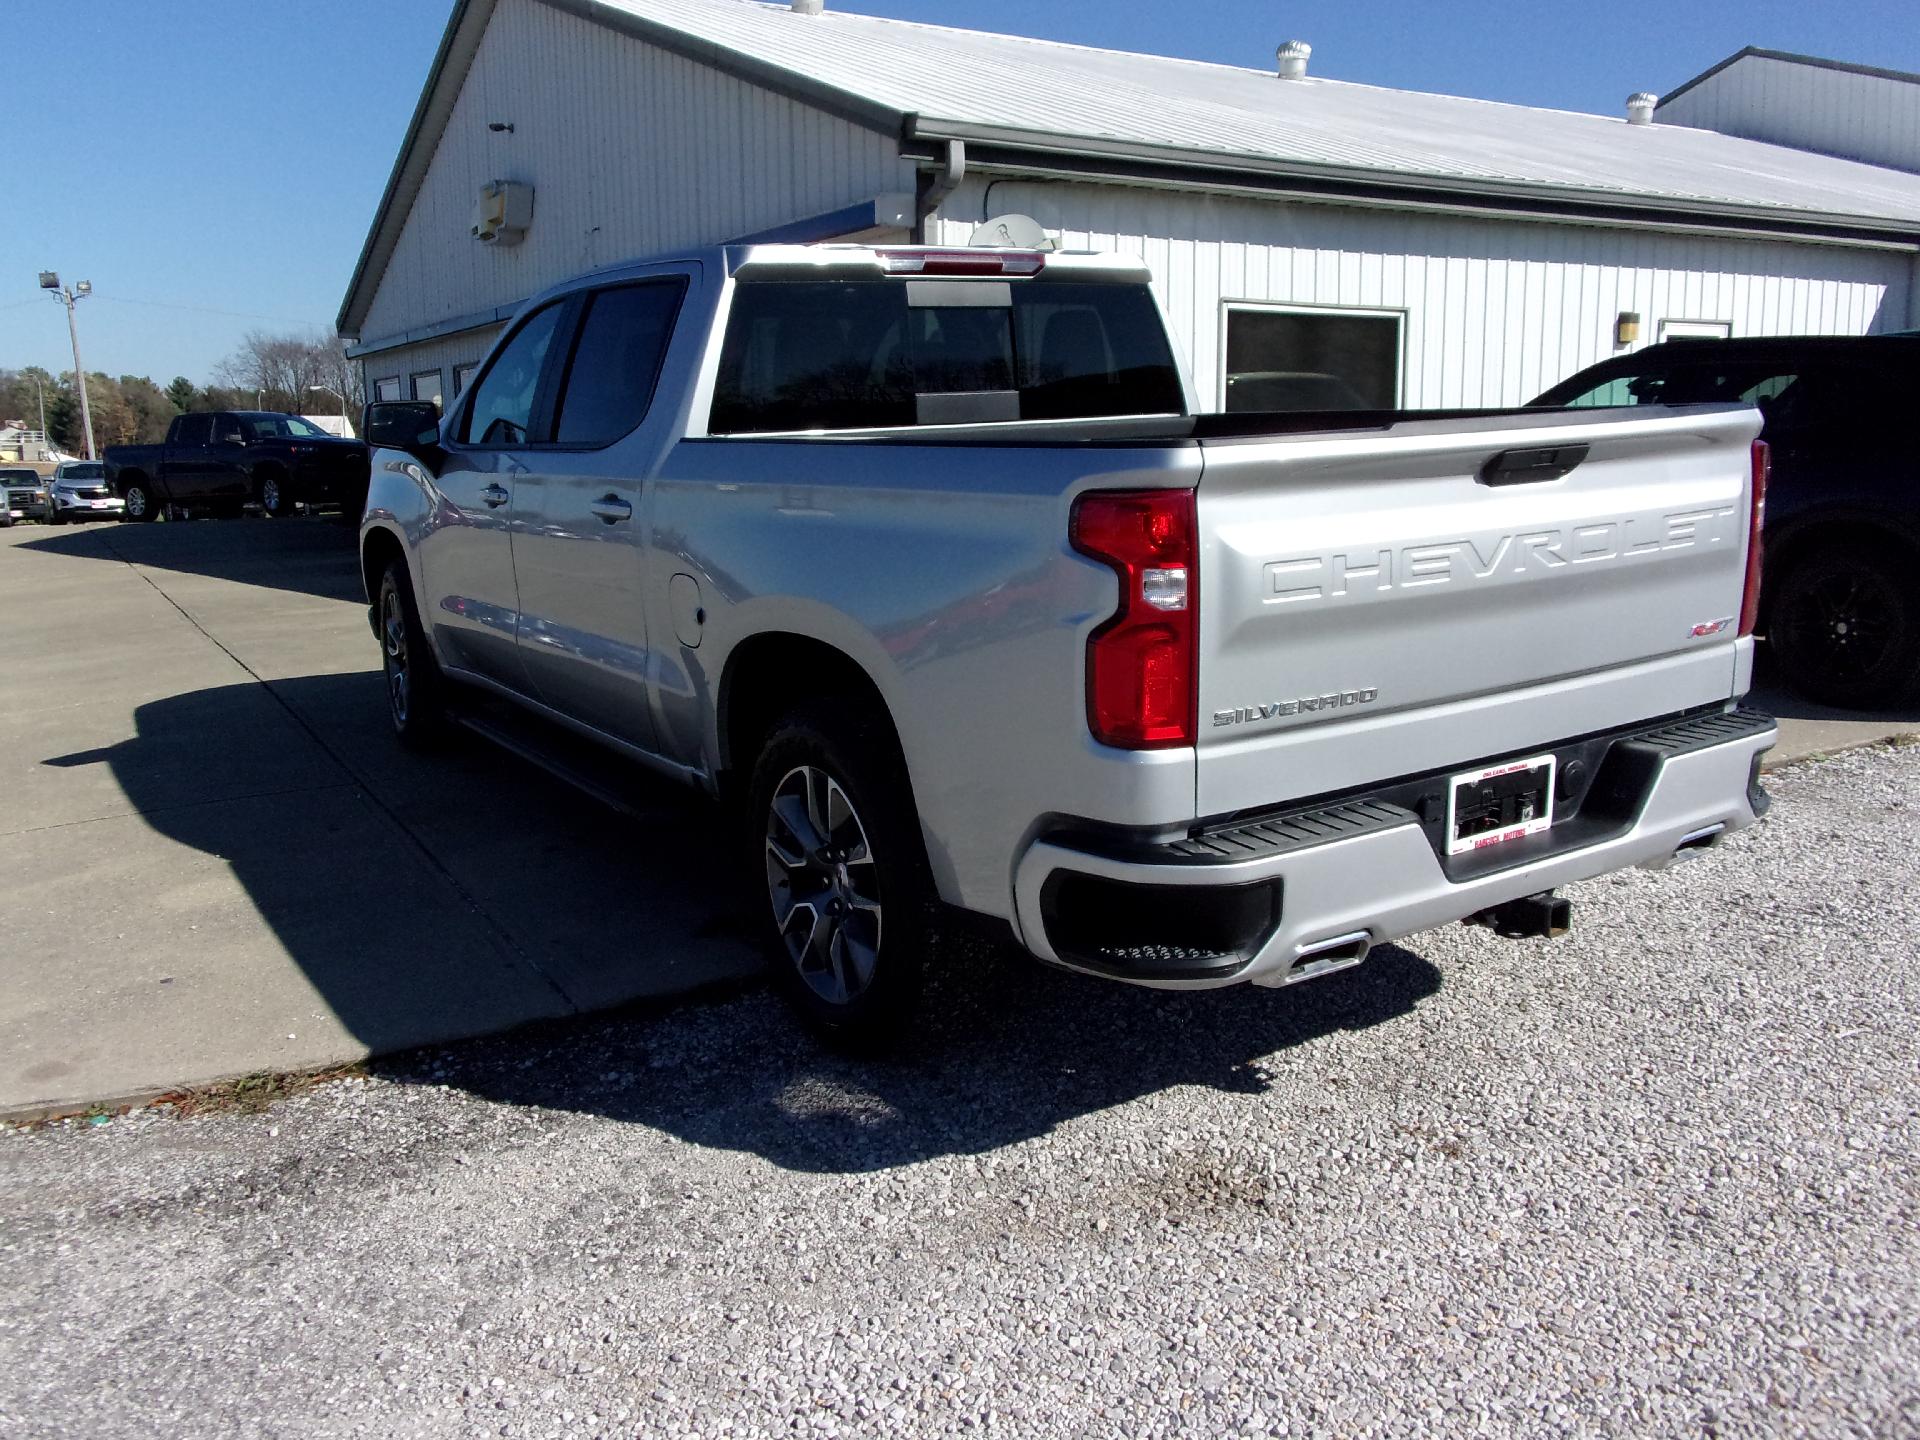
825 884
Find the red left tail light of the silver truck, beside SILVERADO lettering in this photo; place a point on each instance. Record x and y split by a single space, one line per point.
1141 663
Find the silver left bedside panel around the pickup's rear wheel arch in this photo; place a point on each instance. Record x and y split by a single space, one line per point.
948 575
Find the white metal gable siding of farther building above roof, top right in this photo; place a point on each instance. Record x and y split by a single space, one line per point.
1833 112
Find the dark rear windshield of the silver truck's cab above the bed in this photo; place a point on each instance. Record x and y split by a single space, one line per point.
857 354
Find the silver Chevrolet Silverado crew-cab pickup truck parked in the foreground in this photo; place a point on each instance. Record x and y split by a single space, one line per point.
926 562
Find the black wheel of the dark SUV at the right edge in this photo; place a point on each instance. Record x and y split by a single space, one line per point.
1846 631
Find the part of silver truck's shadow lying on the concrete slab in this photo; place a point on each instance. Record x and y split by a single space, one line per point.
423 900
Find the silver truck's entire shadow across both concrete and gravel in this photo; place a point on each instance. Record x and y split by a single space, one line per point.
612 961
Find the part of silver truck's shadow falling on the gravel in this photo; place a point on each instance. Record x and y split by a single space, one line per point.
1007 1051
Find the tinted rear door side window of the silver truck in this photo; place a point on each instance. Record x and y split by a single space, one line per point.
617 362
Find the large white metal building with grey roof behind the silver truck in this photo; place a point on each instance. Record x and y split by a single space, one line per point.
1410 249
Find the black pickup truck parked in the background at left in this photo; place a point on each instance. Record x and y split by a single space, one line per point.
216 464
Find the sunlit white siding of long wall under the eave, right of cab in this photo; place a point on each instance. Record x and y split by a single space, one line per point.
1495 310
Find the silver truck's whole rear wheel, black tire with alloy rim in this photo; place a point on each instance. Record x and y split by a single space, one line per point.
834 844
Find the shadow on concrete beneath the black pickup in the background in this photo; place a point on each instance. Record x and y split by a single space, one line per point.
308 556
